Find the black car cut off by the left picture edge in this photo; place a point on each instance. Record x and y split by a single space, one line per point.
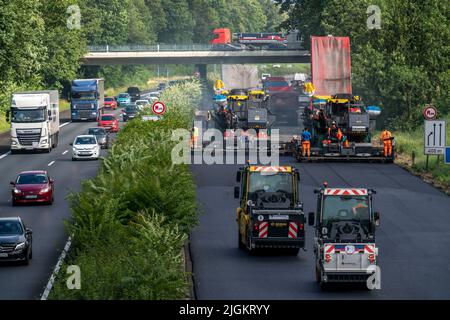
15 241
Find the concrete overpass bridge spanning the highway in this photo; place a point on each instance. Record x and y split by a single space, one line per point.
188 54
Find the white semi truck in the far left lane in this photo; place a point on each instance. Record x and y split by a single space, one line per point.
34 117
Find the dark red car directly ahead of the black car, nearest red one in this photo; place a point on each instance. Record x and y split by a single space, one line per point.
32 186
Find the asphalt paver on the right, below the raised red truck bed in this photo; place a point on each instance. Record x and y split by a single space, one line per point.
353 119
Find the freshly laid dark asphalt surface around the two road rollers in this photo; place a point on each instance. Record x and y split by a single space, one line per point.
414 238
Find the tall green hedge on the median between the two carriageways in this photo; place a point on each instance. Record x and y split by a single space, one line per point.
131 221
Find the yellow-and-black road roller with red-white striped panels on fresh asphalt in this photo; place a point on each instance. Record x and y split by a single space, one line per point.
270 214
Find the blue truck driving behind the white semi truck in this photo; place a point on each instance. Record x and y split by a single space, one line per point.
87 99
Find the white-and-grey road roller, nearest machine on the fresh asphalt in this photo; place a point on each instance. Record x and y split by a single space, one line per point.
344 245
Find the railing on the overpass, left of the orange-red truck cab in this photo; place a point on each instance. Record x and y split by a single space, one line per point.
151 48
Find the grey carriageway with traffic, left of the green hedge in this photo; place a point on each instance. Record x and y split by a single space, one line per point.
47 222
